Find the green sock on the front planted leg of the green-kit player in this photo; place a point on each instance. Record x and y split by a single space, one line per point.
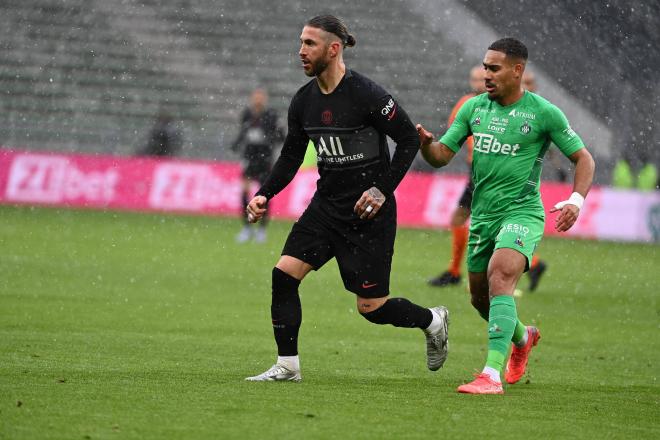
501 325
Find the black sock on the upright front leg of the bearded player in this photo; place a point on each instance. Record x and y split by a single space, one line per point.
286 312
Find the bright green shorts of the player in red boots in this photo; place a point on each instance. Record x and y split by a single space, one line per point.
517 230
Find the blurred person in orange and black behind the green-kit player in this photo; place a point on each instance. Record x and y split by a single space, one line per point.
461 215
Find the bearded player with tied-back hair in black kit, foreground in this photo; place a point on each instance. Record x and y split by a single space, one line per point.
352 216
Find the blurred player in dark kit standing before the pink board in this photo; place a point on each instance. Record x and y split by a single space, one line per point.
257 137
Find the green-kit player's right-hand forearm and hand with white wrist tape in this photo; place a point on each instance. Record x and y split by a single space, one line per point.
584 175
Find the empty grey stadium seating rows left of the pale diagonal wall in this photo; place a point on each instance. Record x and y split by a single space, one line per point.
90 76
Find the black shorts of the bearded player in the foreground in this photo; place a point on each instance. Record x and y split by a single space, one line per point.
363 250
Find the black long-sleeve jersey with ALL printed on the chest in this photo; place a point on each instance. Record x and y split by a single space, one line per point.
349 128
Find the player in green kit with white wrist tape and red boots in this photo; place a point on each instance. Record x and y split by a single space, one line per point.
512 130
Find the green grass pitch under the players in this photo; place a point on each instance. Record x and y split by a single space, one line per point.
123 325
